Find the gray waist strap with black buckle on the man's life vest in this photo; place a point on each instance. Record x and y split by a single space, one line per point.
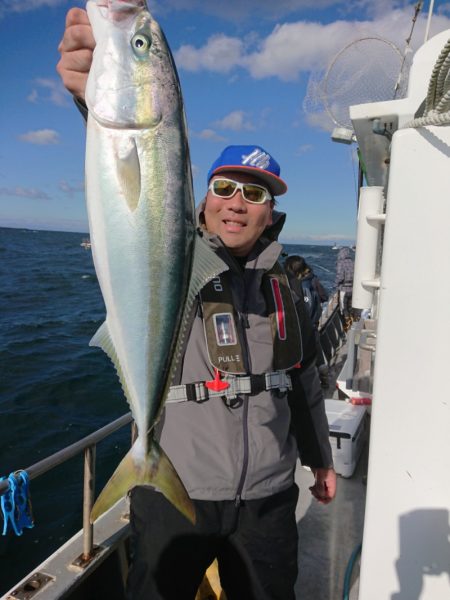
197 392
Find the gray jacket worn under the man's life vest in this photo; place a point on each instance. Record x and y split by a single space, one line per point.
246 448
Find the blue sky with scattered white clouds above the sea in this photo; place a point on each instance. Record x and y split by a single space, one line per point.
253 72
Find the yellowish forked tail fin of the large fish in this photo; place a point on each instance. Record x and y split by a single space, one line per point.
154 469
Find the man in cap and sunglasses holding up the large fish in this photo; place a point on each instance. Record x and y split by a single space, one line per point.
246 400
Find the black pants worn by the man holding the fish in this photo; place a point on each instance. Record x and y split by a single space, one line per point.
255 544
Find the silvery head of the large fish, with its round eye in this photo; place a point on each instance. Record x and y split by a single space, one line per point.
133 83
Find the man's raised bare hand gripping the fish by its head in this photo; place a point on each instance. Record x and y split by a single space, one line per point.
76 50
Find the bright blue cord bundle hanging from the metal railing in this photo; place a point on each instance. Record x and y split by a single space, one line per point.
16 505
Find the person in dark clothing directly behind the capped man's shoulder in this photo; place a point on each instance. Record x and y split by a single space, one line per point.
303 281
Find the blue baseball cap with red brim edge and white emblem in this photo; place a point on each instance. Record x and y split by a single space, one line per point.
250 159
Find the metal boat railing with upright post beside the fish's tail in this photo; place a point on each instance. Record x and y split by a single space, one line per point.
88 445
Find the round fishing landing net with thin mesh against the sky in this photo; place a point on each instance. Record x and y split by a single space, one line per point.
370 69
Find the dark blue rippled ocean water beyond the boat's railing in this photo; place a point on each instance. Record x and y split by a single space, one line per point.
54 388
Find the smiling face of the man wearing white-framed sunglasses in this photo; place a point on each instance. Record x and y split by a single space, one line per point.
237 223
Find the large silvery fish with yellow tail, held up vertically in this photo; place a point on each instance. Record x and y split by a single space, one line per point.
149 258
